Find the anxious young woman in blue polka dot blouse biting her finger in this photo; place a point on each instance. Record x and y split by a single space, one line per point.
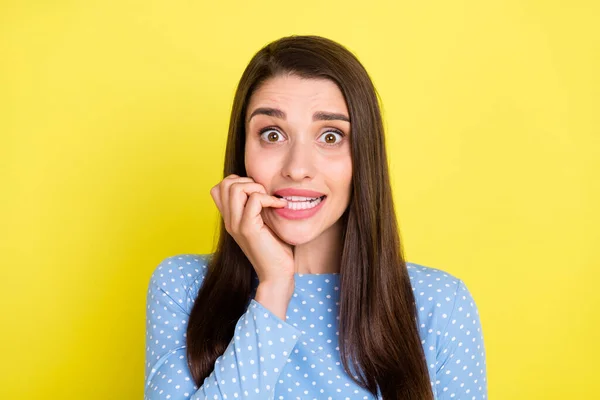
307 295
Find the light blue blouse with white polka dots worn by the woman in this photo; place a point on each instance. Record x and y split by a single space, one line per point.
299 358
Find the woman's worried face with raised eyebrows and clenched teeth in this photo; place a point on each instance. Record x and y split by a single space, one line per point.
298 137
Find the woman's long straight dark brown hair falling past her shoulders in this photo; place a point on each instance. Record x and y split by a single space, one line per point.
378 334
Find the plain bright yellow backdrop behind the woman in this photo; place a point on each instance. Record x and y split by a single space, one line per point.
113 120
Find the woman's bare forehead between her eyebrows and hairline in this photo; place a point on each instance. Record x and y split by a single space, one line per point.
296 92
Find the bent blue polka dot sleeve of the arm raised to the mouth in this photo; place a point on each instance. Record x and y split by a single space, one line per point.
250 366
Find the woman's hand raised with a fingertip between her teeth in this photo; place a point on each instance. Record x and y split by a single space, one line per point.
241 201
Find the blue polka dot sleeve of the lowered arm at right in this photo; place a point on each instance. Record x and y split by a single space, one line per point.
460 360
